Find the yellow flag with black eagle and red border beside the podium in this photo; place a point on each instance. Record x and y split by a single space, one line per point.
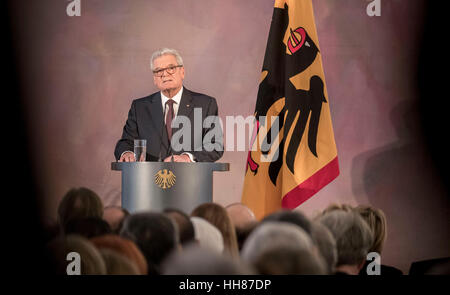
289 163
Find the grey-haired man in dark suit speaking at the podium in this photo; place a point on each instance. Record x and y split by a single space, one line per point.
158 117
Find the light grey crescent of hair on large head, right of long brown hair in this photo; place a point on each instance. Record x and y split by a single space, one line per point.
273 234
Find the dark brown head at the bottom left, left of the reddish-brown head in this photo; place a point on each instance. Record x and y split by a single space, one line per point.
58 249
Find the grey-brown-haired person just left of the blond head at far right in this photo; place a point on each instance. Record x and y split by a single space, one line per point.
353 239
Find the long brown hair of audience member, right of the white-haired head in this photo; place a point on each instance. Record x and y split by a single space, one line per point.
218 216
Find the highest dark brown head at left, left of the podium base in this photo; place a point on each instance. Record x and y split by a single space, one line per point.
79 203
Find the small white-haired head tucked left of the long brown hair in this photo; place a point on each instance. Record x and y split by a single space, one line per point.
207 235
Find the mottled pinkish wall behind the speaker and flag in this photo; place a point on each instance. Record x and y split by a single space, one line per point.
81 74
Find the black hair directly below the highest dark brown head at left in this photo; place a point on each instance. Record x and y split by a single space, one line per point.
87 227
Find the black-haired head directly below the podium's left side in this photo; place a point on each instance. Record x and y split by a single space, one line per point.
154 233
